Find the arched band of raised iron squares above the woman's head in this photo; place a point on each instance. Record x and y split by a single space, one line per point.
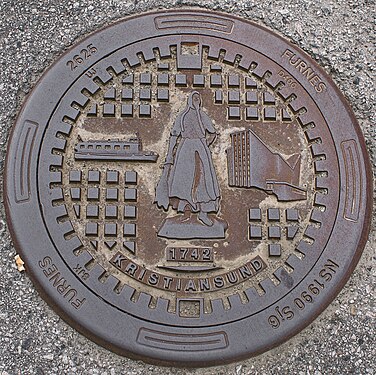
243 96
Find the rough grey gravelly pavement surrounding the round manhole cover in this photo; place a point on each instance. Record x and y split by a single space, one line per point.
338 34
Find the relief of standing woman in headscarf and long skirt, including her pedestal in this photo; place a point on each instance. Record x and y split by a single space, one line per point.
188 182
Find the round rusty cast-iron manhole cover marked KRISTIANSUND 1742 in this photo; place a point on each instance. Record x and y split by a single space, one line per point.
188 188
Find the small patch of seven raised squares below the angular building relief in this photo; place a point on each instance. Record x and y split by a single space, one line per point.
273 230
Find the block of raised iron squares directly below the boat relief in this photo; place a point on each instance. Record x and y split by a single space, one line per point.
106 202
